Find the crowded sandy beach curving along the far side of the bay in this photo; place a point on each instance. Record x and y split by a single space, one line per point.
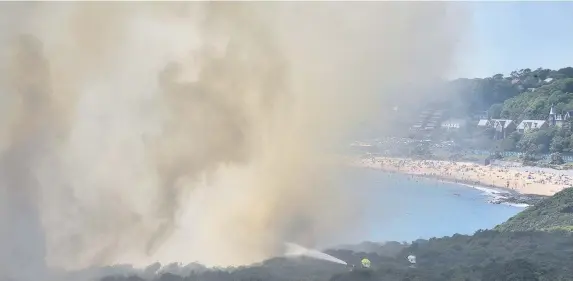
524 180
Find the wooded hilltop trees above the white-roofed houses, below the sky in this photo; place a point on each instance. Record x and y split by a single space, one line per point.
524 94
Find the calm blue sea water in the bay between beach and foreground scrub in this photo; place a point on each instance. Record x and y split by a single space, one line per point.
404 208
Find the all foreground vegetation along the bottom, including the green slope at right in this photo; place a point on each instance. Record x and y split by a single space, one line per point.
519 250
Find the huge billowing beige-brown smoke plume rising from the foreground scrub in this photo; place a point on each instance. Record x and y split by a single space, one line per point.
137 132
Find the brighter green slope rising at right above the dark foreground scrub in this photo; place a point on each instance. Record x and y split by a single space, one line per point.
554 213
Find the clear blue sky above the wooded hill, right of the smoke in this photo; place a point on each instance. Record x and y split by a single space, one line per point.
505 36
